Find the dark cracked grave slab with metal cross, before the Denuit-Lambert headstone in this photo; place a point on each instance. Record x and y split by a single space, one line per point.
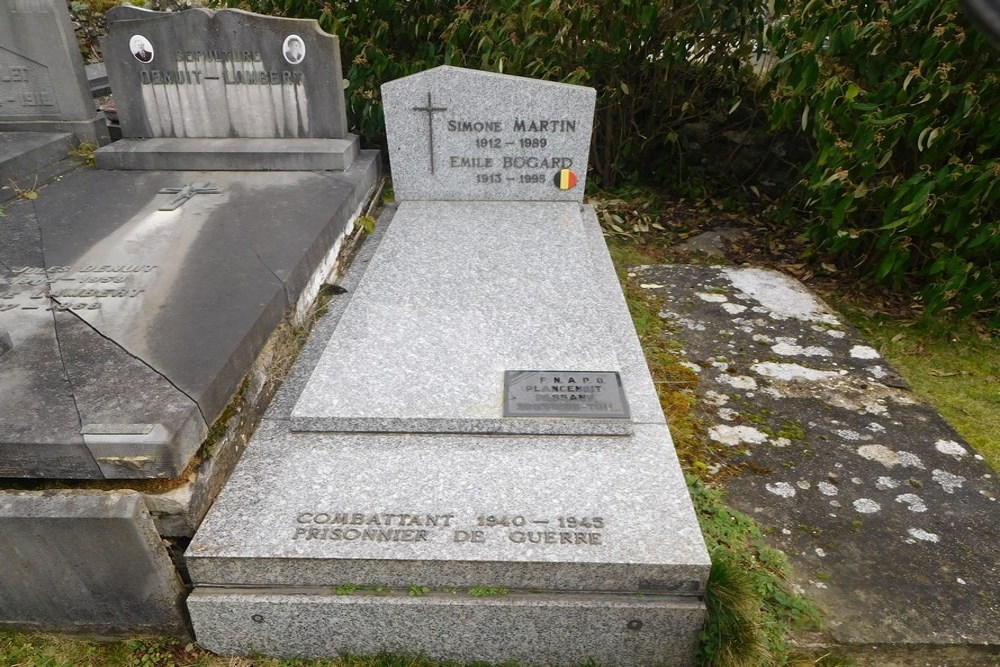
127 329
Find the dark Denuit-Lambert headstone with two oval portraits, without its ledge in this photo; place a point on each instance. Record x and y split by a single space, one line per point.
223 73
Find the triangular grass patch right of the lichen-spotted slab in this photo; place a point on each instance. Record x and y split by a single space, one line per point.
955 366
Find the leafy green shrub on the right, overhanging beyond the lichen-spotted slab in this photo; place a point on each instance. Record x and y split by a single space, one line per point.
902 100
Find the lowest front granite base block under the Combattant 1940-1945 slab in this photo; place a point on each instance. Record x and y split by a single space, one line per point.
531 628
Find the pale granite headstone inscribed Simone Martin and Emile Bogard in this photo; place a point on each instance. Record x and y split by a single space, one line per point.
458 134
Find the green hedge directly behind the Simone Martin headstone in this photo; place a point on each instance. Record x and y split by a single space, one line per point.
656 65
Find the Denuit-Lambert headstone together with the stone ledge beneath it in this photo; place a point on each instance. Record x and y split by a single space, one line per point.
225 90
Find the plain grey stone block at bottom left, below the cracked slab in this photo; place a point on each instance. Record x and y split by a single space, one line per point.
85 561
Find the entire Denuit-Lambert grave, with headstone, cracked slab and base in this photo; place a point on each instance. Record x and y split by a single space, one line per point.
133 305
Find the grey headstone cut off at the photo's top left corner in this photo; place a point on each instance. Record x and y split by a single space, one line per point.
44 86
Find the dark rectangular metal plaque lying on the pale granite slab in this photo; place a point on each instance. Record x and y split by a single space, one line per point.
581 394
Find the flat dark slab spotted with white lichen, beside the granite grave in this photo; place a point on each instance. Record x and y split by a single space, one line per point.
889 519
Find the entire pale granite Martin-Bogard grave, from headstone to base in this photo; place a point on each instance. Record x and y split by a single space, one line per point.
470 451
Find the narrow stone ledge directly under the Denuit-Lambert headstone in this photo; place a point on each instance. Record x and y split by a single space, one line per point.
225 154
